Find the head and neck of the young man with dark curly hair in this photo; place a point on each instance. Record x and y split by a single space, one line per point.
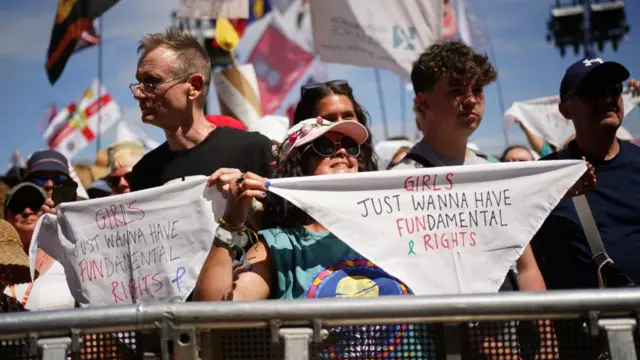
449 80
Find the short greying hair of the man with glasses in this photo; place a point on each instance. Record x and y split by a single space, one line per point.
191 56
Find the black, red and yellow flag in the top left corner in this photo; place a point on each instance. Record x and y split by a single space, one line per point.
73 19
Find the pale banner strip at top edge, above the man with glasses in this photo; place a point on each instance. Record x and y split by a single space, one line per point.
213 9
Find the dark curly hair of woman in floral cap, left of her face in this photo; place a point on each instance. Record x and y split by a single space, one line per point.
278 211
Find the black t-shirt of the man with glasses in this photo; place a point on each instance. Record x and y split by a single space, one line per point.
223 148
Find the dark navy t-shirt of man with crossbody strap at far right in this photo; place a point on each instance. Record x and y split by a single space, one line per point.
561 248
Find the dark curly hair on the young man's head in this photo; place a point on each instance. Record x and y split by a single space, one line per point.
454 59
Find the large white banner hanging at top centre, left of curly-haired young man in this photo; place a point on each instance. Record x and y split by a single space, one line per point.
384 34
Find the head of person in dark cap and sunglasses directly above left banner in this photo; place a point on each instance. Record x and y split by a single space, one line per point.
47 168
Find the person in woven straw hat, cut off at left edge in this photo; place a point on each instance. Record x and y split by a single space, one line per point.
14 265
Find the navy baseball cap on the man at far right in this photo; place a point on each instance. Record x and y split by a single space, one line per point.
586 67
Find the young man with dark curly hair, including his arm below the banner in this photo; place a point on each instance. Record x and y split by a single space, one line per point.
449 80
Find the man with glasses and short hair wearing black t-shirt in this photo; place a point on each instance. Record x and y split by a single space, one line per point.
174 73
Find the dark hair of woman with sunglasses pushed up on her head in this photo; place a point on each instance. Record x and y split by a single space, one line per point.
307 108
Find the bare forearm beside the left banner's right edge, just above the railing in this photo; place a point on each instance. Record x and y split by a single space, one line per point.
215 282
